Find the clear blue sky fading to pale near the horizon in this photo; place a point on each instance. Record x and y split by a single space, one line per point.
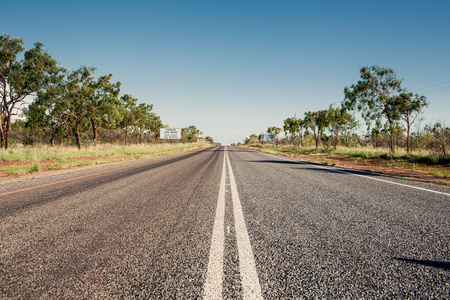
233 68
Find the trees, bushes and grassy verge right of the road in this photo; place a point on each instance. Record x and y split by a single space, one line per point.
389 114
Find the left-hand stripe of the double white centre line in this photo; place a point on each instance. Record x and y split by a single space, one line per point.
214 276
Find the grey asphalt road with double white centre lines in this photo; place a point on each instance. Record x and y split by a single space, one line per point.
224 222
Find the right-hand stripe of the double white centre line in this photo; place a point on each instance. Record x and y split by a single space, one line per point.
249 277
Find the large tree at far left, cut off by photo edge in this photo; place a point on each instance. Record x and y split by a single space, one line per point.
19 79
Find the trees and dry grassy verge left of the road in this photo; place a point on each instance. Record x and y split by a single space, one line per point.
52 118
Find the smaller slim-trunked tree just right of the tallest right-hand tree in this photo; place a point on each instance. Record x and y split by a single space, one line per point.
410 107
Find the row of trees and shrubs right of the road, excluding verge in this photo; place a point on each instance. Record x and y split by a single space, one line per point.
387 109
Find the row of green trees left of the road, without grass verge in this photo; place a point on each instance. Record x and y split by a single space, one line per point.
68 107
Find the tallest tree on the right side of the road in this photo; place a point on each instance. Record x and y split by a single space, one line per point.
375 97
